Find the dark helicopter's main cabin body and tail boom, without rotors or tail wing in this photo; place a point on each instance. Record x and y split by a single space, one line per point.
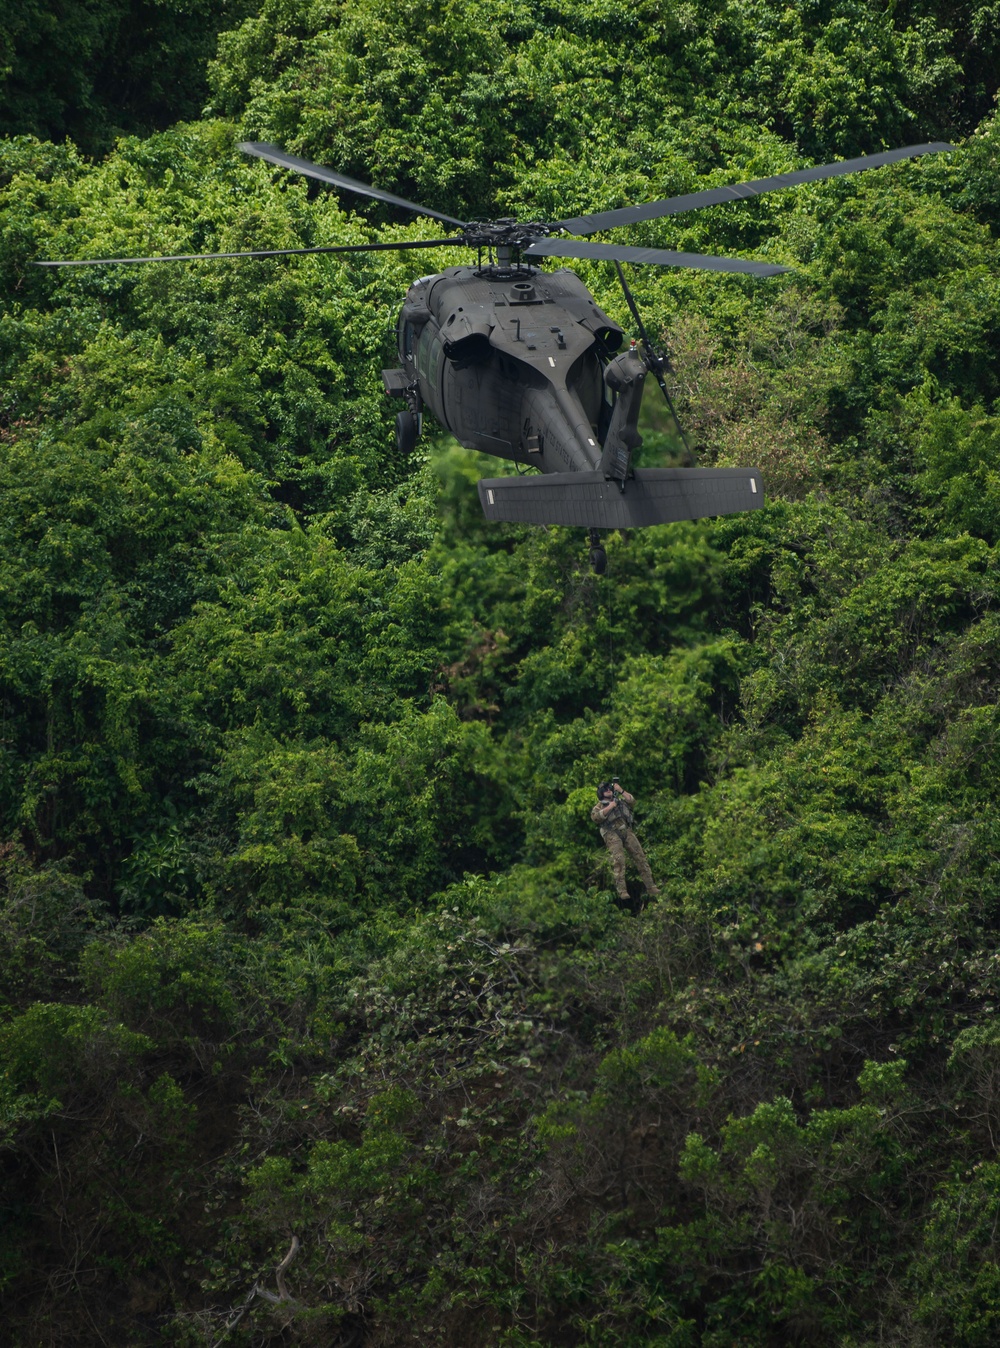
513 362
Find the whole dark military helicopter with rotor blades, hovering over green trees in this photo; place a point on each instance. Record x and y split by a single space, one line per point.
524 365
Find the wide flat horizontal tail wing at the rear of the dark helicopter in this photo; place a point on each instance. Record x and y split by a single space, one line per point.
653 497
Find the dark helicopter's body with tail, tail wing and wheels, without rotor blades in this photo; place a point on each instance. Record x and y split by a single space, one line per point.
525 366
